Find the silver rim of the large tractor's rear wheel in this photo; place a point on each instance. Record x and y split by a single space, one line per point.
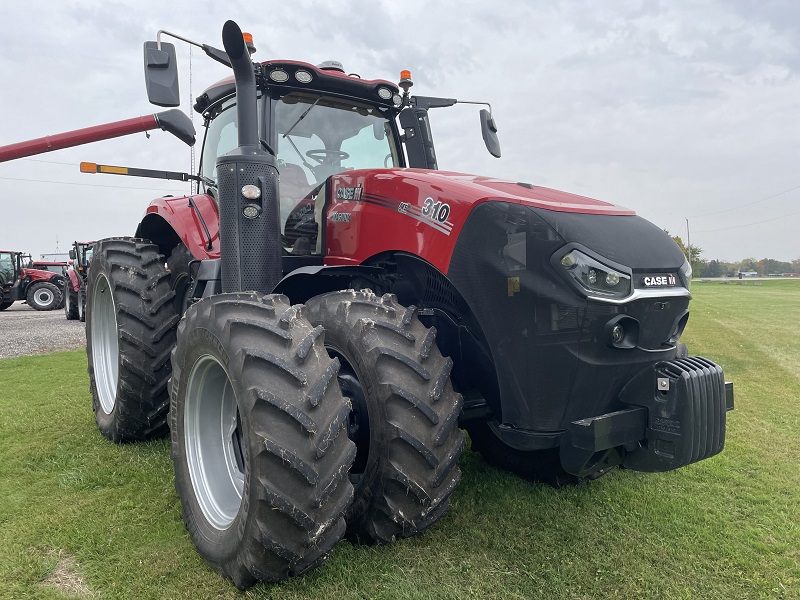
105 345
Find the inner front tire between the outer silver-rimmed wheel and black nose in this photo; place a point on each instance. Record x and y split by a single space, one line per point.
405 413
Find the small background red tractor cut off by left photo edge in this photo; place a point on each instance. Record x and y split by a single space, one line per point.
40 288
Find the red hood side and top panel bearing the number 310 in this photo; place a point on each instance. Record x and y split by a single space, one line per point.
422 212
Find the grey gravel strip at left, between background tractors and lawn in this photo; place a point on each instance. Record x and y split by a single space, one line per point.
25 331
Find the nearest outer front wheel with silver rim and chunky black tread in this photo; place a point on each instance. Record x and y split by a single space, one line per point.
259 439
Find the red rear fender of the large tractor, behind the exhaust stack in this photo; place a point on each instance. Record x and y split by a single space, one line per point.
194 221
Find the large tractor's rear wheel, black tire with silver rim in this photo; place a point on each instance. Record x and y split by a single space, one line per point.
130 333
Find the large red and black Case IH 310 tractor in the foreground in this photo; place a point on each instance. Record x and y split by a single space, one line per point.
334 310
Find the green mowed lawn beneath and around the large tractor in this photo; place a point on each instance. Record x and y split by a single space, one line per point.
83 518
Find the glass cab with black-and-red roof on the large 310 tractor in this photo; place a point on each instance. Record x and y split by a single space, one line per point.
317 122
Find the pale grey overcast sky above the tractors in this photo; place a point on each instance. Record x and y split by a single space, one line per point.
681 110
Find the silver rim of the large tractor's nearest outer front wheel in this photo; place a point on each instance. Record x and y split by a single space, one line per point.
214 442
